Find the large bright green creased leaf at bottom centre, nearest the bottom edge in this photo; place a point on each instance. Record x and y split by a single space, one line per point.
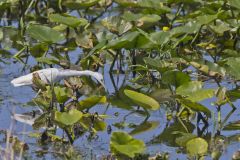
123 143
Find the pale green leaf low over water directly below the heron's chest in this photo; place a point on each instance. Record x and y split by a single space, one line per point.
68 118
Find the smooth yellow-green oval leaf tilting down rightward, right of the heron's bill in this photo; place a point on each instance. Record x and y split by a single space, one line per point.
142 100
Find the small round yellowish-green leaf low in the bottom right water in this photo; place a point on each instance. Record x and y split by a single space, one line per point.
197 146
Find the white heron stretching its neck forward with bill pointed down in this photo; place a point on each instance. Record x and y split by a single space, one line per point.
51 75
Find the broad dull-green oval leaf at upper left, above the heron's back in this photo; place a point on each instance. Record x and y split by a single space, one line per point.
44 33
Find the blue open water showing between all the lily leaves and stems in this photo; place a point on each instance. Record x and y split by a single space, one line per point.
13 100
